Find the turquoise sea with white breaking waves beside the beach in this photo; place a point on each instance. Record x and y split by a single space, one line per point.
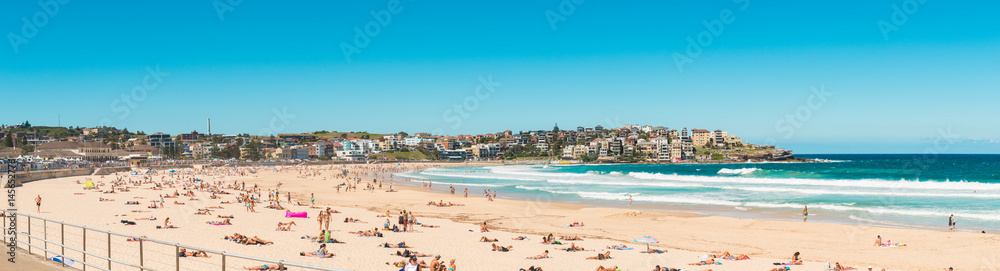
913 191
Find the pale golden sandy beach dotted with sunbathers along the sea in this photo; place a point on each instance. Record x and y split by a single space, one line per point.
686 237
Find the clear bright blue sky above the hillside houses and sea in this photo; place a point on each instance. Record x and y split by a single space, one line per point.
600 63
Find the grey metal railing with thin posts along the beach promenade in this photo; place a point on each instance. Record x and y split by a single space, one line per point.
145 254
